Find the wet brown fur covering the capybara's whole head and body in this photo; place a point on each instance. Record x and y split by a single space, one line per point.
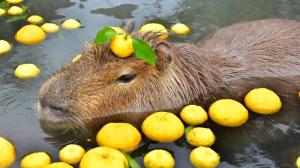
232 61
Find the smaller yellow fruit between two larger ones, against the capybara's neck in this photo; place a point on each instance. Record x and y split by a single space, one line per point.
193 115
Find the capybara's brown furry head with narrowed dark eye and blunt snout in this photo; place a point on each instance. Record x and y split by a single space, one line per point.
102 86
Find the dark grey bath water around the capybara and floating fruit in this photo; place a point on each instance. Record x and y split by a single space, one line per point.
265 141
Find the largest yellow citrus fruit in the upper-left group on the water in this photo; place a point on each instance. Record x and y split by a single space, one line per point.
30 35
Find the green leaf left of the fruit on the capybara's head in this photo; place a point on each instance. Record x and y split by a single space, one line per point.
104 35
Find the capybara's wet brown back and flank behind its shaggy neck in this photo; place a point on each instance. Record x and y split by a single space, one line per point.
263 53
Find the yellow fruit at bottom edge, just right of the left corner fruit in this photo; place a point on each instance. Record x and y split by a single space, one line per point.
35 160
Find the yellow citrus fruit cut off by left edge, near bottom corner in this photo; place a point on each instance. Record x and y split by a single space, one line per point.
7 153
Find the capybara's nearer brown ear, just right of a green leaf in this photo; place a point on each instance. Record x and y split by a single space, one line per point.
164 55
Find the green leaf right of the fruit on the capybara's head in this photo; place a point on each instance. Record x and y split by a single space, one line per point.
144 51
